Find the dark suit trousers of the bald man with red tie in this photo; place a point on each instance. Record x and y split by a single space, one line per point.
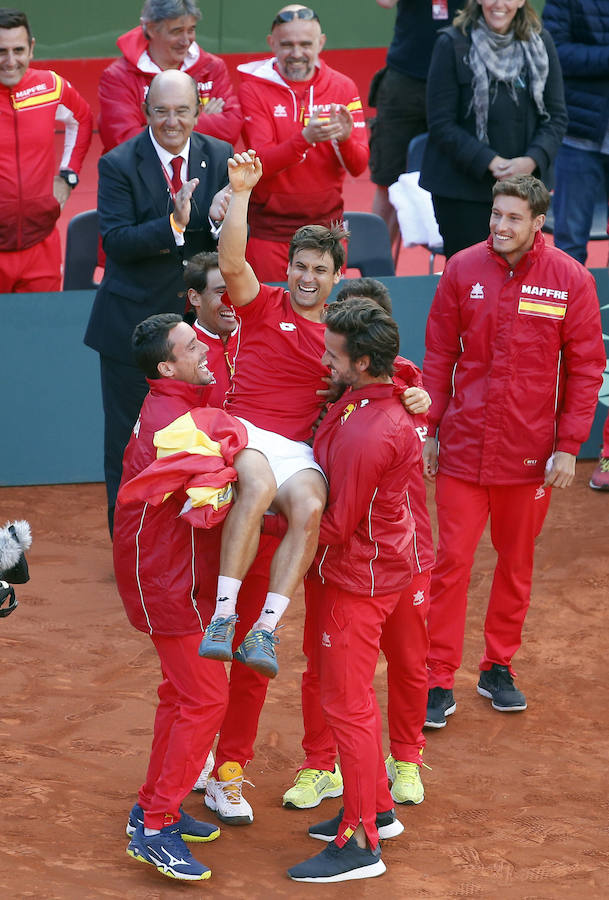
123 391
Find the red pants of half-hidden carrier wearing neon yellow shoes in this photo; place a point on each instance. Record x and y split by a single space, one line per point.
404 642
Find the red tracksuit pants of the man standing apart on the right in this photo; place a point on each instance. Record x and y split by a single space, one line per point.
517 513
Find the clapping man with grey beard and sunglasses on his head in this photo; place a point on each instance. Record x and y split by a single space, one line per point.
307 125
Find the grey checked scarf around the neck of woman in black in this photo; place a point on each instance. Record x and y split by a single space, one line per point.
500 57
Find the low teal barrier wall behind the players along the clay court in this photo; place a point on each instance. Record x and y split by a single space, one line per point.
51 402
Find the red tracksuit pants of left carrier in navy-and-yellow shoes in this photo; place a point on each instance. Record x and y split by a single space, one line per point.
192 702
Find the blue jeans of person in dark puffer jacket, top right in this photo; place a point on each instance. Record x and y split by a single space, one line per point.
582 180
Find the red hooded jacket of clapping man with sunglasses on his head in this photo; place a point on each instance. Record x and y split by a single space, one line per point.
301 182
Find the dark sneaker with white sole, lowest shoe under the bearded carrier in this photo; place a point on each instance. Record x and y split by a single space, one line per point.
345 863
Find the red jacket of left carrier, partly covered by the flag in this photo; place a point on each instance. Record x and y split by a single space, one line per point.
157 553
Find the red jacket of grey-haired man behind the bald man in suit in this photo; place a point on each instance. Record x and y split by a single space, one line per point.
124 84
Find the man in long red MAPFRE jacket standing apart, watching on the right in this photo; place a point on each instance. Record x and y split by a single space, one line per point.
514 360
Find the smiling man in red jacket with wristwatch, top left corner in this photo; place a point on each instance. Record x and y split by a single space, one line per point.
32 190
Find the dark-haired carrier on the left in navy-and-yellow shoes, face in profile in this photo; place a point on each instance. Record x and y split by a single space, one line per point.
157 556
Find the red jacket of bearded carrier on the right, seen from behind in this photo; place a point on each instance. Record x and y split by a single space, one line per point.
369 448
